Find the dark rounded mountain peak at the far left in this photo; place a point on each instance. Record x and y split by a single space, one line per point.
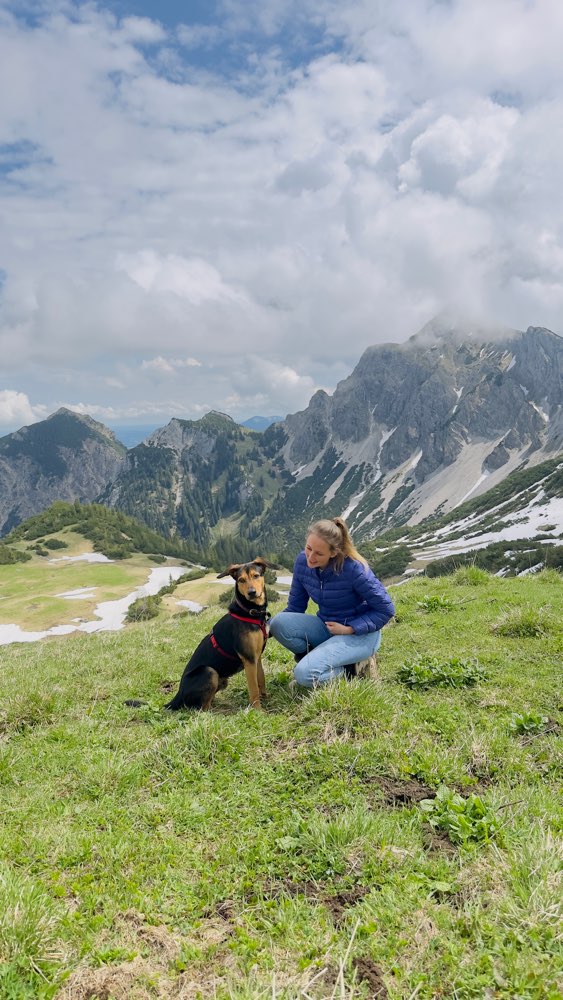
66 457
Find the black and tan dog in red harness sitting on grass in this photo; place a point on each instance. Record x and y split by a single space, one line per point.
236 642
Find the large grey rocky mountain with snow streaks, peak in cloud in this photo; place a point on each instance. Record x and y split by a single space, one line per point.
418 428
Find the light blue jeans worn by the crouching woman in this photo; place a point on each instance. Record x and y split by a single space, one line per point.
327 654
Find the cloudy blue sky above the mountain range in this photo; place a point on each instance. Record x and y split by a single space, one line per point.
219 204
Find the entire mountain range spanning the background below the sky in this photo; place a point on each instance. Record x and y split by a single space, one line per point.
415 431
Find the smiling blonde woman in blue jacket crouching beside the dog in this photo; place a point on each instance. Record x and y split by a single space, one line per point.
353 607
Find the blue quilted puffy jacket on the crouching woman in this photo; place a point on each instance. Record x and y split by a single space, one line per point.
352 597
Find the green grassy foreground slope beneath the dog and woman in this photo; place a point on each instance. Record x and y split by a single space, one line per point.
366 839
